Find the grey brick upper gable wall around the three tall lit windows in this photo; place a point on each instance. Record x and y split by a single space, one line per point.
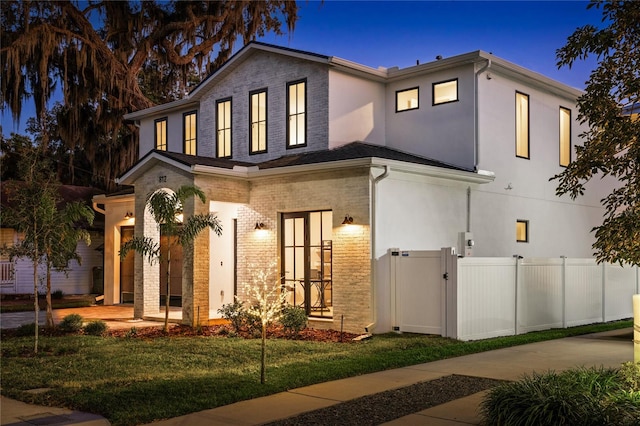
251 76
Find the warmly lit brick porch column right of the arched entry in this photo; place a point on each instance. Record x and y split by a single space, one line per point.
195 274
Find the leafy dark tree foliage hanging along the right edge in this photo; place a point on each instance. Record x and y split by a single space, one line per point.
610 106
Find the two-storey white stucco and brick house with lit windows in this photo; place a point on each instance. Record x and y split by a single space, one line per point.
323 165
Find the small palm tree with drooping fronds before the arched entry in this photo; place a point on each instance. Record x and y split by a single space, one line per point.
165 208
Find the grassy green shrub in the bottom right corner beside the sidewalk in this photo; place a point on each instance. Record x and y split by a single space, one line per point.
580 396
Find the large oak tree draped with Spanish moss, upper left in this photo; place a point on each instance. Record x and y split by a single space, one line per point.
114 57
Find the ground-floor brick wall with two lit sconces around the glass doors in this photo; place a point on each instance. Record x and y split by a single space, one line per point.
342 192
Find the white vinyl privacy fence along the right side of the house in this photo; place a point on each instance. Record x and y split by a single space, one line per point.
490 297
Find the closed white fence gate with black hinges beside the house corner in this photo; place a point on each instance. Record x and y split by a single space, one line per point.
419 304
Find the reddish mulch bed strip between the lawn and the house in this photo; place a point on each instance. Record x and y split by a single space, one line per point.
274 332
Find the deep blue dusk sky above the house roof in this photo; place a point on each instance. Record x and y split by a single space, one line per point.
399 33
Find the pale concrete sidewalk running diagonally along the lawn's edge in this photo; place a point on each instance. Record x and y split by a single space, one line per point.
609 349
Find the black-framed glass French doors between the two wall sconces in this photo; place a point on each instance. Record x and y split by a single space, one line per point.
307 261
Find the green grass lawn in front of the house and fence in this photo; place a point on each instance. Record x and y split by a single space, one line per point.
133 381
